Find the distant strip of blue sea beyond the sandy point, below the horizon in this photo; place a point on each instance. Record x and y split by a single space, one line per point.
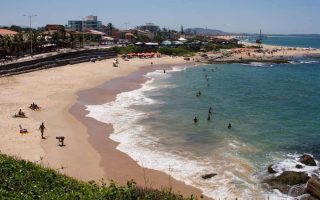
290 41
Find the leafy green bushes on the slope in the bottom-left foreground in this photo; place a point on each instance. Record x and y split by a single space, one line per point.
21 179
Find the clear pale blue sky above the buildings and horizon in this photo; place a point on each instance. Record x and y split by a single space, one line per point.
239 16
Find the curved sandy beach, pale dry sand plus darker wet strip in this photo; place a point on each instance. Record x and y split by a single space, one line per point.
88 154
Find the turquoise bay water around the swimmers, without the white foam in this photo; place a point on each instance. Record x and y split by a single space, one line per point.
271 109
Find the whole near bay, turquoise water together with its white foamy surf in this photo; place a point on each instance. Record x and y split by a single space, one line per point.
274 111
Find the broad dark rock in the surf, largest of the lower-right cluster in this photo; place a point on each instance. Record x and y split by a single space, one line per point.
286 180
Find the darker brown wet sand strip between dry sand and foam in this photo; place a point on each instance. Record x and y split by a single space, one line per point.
113 159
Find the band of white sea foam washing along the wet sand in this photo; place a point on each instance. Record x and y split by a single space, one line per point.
135 141
